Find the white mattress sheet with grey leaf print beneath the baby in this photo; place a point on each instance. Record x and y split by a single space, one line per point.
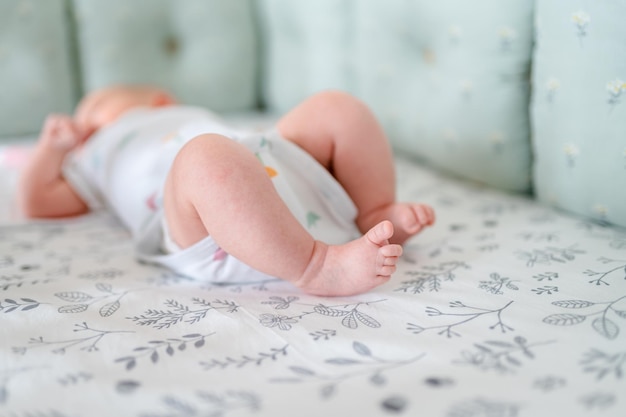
503 308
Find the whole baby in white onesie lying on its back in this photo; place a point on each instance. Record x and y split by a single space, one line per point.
311 201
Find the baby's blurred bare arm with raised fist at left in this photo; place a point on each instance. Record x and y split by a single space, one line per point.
43 192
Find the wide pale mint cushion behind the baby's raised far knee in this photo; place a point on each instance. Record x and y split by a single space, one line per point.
448 79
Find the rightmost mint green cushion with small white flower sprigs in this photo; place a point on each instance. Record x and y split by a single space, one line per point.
579 108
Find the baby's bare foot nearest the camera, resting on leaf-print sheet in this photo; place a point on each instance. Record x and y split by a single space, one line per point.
352 268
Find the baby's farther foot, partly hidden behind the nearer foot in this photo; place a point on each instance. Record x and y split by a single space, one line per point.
408 219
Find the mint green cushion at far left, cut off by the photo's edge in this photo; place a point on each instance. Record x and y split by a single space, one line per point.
36 72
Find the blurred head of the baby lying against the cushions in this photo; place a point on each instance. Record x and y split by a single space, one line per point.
101 107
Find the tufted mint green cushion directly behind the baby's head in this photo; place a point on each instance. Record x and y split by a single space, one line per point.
204 51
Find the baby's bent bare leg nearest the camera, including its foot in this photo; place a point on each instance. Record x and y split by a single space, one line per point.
218 187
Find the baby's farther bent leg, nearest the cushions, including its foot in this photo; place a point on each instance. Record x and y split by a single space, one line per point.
345 137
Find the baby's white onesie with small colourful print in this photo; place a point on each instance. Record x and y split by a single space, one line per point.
124 165
